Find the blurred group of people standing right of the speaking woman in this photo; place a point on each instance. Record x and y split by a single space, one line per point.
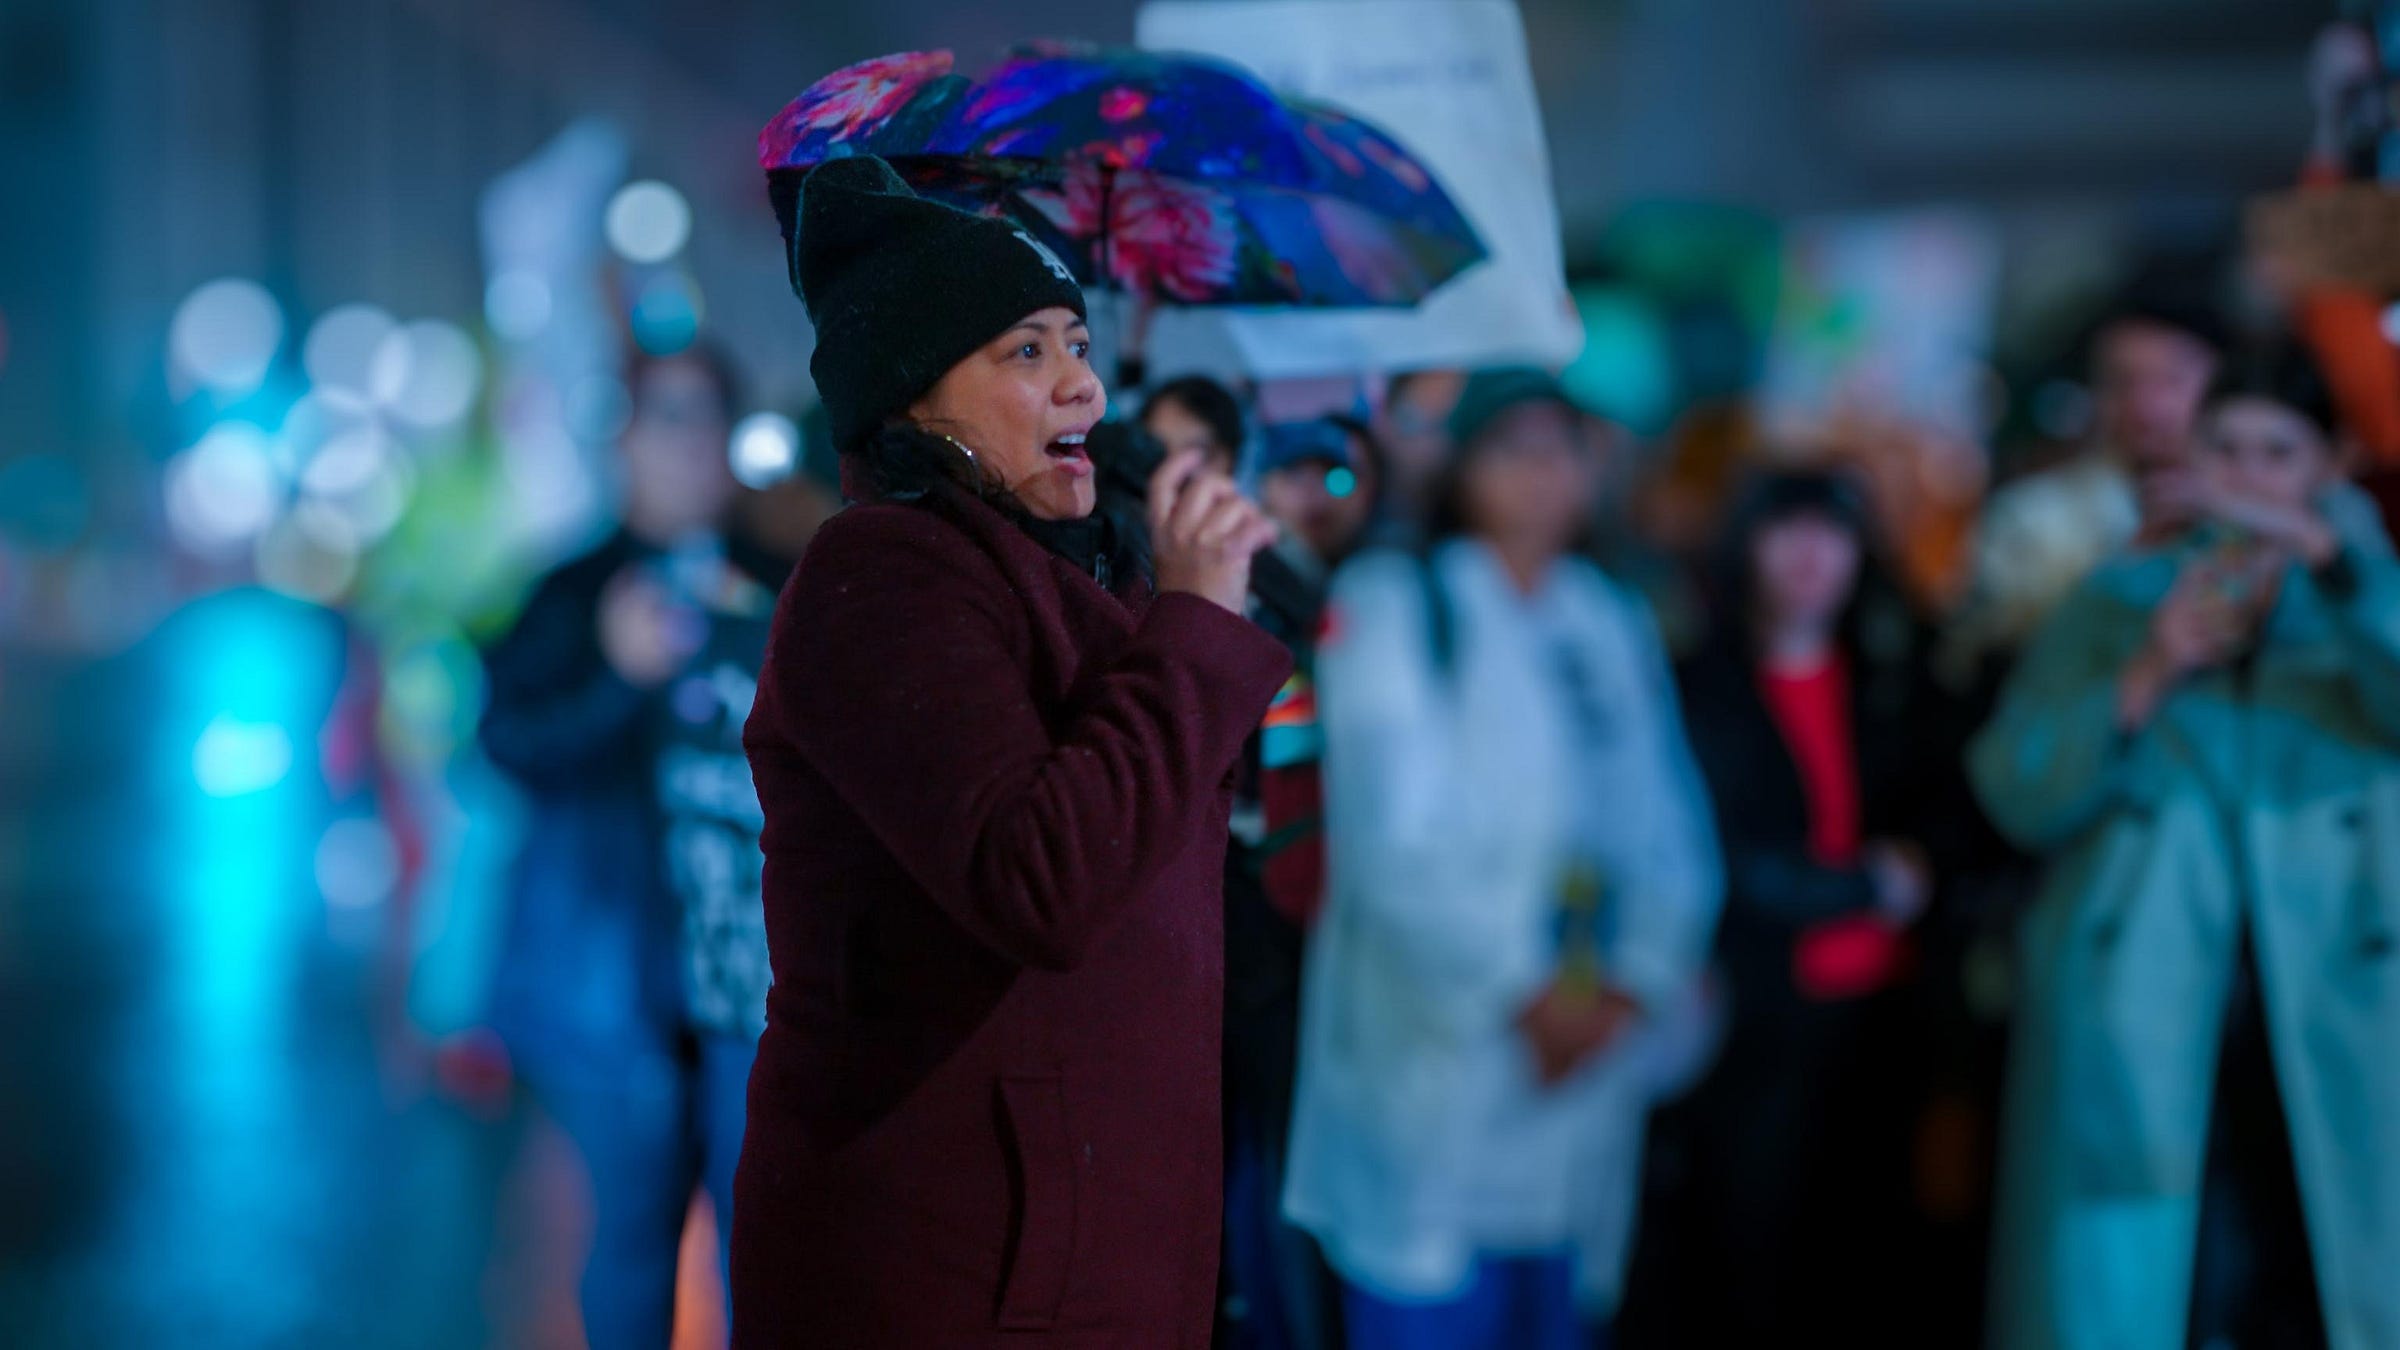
1784 979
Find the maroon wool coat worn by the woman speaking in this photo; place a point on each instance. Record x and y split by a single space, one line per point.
988 1101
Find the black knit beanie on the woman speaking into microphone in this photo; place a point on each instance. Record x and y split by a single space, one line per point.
901 289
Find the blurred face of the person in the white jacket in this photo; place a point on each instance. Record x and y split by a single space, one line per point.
1530 479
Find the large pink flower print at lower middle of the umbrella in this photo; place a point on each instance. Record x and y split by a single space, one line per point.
1165 239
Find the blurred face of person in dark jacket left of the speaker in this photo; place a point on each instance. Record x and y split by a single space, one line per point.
678 474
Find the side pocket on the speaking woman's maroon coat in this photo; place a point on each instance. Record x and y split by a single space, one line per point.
1045 1202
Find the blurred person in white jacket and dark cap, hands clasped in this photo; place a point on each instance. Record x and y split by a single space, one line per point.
1523 878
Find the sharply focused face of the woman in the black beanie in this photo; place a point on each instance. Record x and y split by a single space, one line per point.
1024 405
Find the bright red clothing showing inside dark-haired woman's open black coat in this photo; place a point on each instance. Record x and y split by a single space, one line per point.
1859 955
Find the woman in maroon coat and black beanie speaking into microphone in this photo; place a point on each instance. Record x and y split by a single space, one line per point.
992 743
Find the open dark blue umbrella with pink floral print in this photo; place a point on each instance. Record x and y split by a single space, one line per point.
1168 177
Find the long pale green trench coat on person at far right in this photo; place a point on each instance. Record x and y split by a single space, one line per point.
2269 799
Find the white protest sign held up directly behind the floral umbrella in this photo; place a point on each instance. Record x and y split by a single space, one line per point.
1451 83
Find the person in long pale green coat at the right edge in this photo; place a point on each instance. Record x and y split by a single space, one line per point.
2207 746
